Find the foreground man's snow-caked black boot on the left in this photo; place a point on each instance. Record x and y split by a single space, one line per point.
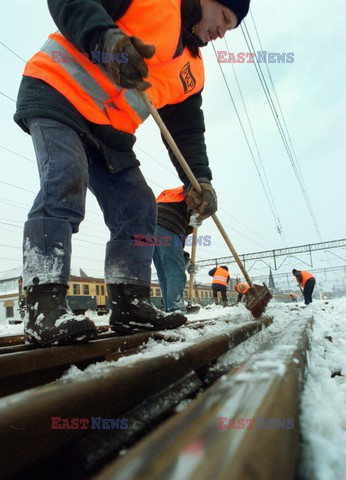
49 321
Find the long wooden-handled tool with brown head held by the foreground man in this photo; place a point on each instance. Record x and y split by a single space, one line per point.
258 296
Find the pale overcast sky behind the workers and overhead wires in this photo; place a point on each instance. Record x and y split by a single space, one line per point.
311 91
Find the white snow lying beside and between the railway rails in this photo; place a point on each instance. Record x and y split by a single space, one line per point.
323 418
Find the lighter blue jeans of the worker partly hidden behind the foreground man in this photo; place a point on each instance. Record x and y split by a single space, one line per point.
169 262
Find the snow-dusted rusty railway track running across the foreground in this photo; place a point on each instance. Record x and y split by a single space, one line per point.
132 383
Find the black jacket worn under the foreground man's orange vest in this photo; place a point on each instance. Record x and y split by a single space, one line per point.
84 23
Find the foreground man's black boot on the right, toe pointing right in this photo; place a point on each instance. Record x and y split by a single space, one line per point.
133 311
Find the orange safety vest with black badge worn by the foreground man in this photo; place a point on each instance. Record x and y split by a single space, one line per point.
89 87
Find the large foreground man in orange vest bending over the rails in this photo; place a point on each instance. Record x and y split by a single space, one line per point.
79 101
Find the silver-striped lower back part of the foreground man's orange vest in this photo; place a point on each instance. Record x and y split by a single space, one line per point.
87 86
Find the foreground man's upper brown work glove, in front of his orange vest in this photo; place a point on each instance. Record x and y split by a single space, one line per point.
126 54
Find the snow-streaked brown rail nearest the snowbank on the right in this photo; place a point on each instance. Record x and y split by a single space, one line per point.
256 408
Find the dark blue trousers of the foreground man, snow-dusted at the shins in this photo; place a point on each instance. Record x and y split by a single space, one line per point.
127 202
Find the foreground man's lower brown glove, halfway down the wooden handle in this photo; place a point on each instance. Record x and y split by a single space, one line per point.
204 203
